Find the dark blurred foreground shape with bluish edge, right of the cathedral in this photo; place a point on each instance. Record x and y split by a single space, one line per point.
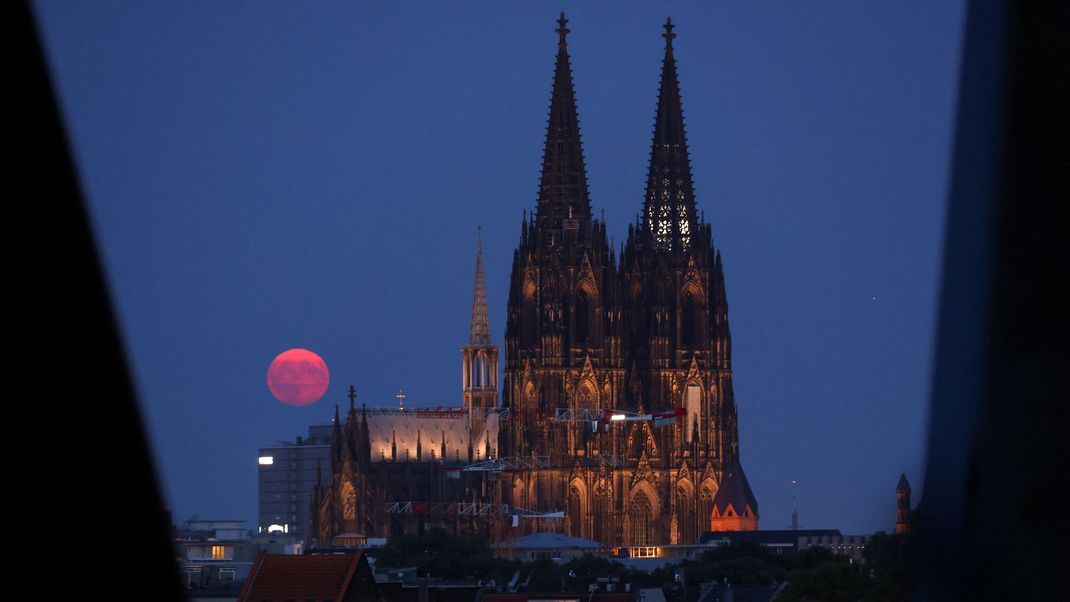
989 518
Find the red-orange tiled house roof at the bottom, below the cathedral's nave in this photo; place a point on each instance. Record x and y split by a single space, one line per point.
280 577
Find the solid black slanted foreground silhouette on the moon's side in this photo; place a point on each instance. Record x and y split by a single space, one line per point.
98 488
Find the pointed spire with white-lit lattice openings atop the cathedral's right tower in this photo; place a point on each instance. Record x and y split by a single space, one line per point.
669 214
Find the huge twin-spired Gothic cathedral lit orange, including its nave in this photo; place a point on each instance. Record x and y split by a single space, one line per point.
598 347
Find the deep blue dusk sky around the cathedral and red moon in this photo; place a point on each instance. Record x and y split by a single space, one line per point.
265 176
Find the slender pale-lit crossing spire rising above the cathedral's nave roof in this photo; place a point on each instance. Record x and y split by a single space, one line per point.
479 359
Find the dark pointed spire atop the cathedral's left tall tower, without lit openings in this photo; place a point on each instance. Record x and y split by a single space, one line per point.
563 188
